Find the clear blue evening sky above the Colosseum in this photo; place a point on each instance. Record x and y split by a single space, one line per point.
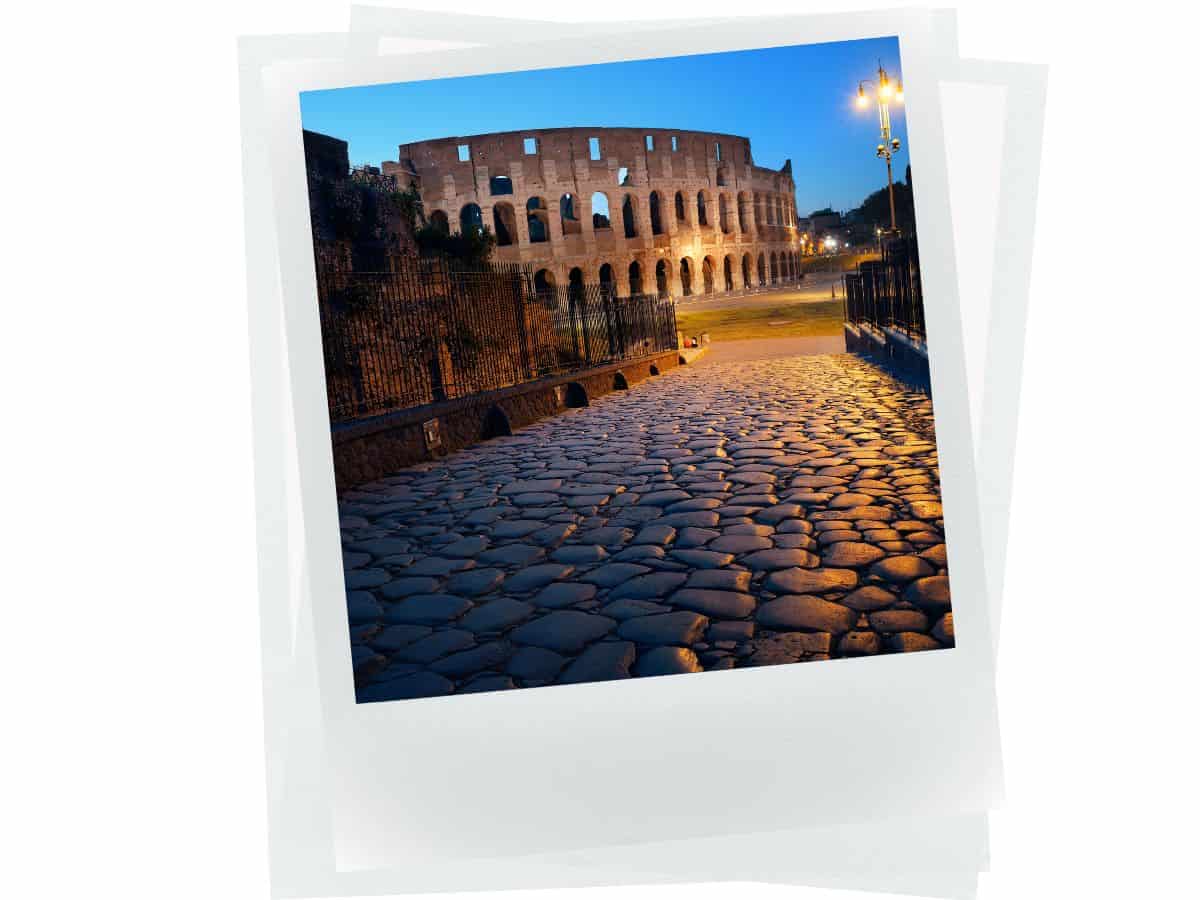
793 103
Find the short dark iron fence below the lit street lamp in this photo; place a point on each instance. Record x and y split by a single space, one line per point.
886 293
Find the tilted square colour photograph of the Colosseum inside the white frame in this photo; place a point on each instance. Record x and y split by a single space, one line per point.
627 370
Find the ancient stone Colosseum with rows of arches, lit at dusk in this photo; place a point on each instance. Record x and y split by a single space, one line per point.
639 211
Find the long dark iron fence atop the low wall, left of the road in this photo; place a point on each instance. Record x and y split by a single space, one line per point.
434 331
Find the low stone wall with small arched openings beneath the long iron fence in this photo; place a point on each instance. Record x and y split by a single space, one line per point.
368 451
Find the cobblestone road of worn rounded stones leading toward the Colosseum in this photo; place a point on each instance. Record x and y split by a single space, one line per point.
717 517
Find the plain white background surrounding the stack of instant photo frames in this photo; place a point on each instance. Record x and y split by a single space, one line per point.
130 662
